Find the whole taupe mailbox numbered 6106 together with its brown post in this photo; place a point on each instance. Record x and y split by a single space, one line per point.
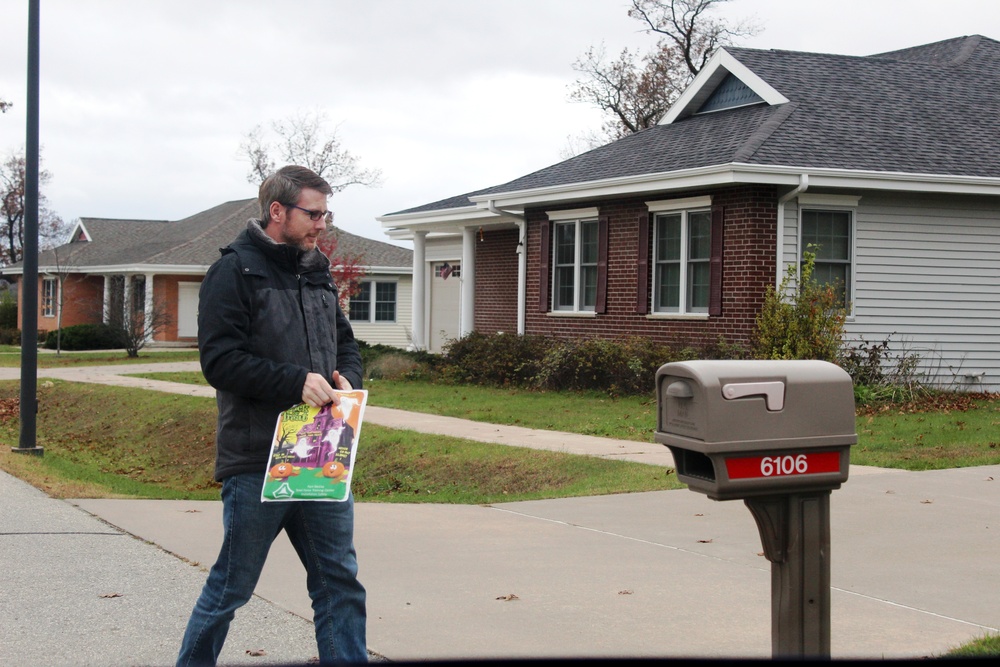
776 434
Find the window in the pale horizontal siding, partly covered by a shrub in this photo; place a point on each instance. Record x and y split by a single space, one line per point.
828 233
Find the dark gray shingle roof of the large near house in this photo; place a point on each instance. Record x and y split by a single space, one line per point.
931 109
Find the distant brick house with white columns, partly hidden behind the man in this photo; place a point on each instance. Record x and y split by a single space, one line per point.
110 263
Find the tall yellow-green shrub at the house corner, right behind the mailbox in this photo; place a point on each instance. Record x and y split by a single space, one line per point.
801 322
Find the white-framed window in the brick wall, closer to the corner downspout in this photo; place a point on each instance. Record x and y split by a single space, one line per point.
682 254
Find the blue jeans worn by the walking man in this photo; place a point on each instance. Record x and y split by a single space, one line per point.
323 536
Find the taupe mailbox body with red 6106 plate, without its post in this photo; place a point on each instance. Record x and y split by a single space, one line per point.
739 429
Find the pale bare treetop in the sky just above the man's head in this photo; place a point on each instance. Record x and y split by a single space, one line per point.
303 139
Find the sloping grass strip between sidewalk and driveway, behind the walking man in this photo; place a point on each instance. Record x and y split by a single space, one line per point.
103 441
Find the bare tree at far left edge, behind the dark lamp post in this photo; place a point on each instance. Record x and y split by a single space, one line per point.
51 227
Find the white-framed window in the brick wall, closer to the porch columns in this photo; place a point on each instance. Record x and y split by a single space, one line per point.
575 260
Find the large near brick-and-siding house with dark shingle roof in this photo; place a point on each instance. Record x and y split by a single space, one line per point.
889 165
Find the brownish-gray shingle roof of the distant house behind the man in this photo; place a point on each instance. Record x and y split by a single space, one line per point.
191 242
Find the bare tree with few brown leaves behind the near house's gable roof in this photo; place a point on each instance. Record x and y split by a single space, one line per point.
635 90
